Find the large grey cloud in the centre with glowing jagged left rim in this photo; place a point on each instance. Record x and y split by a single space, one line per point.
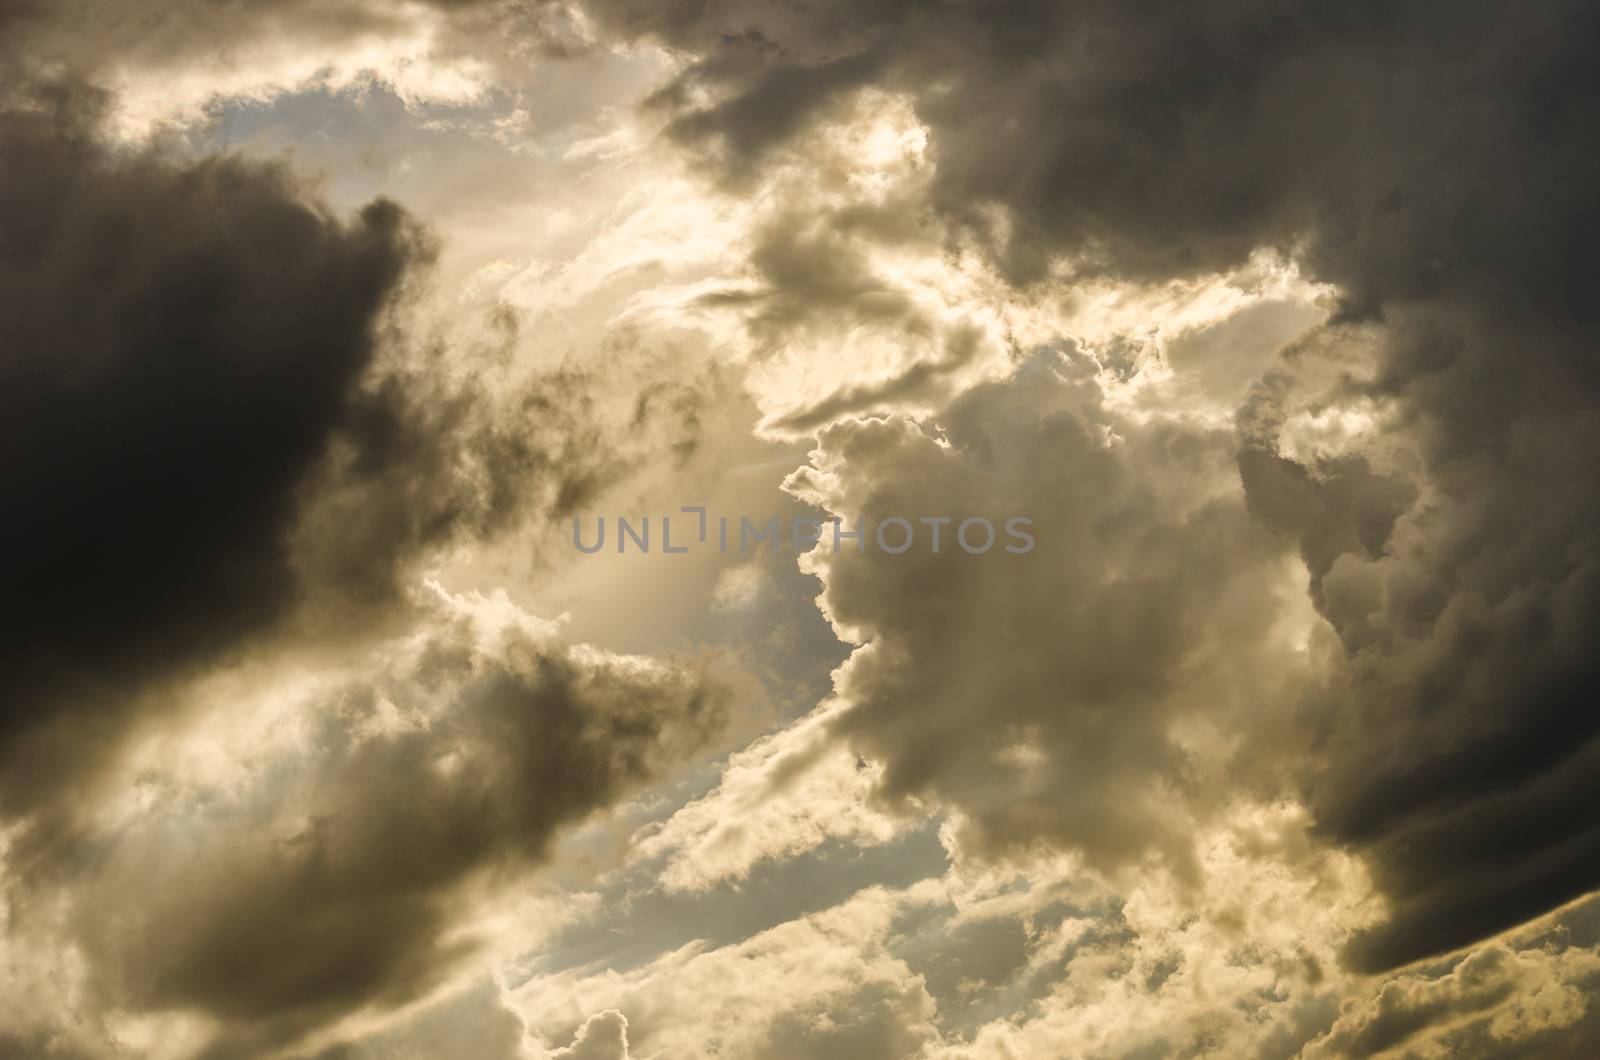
1039 694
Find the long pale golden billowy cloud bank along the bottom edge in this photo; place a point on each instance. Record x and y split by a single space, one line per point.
1031 960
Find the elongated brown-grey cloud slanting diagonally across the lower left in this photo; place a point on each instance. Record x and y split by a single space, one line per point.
338 878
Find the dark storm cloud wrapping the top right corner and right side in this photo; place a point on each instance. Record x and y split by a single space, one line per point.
1436 163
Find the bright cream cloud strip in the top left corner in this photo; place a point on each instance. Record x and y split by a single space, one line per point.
174 62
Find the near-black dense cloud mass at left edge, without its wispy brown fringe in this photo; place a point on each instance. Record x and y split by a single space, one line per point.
183 345
